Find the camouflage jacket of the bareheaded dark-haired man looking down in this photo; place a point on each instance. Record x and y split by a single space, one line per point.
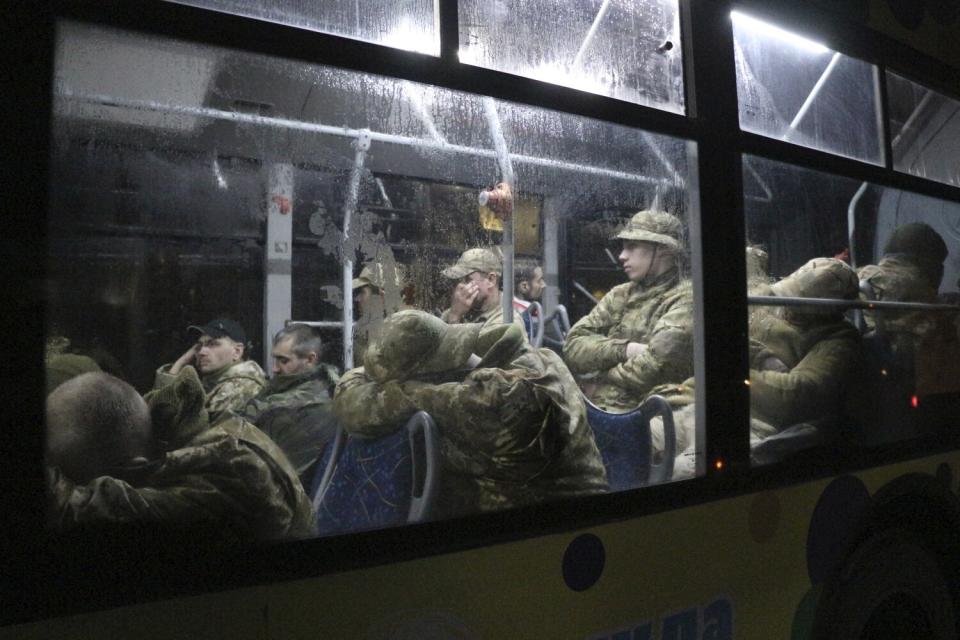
295 412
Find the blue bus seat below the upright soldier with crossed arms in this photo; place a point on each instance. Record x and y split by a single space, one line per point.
625 443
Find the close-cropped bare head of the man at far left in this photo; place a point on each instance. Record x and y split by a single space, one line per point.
96 423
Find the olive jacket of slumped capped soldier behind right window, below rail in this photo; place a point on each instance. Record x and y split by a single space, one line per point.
820 355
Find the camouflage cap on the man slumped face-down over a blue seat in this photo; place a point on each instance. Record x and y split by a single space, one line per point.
416 343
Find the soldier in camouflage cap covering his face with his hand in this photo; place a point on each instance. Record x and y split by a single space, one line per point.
476 291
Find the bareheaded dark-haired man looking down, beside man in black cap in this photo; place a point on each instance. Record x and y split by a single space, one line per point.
294 408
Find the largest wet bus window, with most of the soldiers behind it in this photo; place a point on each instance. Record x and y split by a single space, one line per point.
195 215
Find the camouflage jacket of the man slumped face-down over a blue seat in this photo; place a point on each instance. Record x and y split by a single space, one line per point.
513 432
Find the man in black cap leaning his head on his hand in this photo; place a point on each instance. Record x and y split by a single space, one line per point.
229 380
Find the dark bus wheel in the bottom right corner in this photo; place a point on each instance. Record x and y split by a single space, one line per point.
891 587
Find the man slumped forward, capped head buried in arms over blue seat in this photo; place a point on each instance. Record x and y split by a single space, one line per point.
513 430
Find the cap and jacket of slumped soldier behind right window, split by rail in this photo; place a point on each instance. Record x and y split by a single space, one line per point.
818 350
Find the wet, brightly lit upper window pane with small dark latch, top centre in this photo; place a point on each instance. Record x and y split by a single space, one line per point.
628 50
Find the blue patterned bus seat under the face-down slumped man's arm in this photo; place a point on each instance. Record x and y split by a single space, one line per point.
373 484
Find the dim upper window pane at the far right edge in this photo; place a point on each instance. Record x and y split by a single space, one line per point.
926 130
